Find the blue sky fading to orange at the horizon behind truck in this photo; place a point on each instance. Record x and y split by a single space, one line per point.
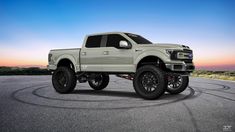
30 28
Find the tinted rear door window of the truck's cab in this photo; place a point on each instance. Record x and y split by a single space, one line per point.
93 41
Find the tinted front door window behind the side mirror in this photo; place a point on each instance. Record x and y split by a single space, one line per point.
113 40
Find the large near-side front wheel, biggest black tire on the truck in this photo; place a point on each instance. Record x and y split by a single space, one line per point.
149 82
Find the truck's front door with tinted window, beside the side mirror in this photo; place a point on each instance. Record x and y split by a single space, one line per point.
114 58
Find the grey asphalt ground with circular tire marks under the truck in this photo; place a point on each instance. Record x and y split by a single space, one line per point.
29 103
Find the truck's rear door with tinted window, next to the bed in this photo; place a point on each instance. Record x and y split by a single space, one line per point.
91 54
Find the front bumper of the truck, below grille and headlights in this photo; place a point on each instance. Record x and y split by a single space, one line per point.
180 67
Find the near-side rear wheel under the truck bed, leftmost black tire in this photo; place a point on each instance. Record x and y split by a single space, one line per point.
64 80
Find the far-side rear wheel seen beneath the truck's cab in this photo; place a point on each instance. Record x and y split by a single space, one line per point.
99 82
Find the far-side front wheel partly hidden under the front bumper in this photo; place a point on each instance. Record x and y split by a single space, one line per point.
176 83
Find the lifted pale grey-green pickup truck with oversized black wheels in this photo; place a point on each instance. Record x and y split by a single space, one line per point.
154 68
